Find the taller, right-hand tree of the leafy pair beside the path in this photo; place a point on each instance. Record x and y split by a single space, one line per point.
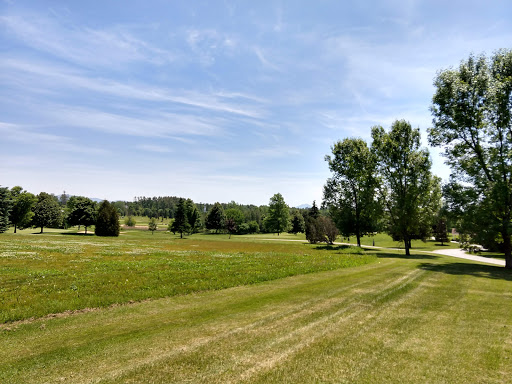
408 190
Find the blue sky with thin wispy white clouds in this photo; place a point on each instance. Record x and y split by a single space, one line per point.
218 100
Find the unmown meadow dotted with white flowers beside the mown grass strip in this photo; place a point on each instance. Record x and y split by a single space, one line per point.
54 272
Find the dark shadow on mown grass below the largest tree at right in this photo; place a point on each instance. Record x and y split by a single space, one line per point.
478 270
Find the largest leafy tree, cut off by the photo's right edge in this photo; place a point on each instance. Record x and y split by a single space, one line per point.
472 121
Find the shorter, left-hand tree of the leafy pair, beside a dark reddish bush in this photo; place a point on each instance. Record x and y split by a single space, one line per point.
350 192
